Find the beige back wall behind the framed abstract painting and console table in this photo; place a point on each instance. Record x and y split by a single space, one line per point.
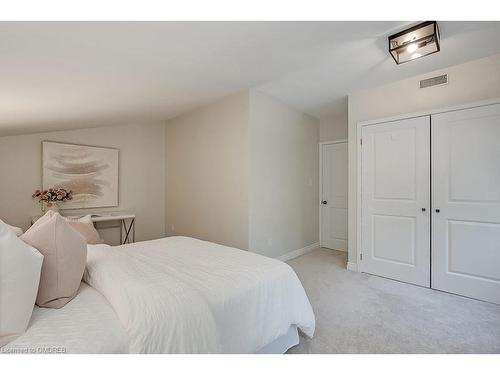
141 175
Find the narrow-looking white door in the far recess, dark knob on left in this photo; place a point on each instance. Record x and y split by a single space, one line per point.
334 196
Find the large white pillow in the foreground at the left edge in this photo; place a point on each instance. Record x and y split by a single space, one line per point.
20 267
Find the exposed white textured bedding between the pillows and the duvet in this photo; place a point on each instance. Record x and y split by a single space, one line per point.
87 324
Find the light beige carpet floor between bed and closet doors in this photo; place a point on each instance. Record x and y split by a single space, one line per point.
359 313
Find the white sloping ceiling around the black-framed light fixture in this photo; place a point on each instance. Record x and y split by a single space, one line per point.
78 74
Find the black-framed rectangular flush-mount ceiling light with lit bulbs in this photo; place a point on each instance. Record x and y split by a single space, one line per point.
417 41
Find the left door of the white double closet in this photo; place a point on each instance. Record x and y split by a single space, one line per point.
395 215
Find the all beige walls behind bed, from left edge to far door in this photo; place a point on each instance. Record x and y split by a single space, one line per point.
242 172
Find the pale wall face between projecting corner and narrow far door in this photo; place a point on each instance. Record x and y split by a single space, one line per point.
283 192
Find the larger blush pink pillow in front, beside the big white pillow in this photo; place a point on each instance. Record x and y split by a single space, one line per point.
65 258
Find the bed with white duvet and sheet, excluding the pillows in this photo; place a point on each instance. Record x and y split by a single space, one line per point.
177 295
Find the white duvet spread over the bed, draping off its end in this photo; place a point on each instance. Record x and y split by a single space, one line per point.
182 295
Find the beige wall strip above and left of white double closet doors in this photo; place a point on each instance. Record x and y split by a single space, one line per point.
473 81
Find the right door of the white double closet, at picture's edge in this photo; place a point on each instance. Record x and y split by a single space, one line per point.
466 202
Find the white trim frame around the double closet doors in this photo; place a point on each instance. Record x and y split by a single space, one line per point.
357 265
